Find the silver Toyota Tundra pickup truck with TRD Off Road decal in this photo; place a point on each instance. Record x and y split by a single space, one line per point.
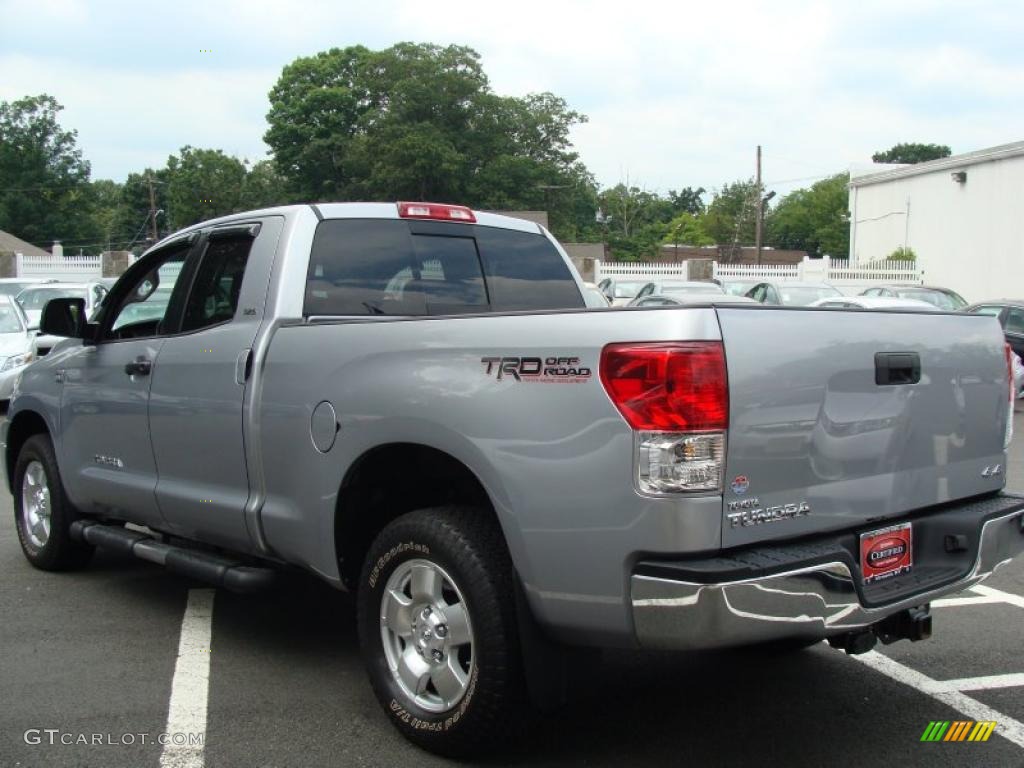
412 403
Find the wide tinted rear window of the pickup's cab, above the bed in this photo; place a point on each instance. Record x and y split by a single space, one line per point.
379 267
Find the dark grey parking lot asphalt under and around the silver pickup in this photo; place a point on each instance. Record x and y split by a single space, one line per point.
95 653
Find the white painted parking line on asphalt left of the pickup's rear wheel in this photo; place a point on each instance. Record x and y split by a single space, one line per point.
187 713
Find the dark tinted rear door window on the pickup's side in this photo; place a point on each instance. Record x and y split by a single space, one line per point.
216 291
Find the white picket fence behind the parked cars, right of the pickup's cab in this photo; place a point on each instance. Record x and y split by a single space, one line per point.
837 272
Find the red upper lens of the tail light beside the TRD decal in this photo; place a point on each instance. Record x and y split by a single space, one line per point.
668 387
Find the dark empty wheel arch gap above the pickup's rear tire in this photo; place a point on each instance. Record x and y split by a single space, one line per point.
371 496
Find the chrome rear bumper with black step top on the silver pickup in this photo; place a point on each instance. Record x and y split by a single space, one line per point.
815 589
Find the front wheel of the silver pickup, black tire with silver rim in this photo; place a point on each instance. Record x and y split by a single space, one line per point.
42 514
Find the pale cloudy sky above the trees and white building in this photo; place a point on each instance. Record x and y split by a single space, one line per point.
678 94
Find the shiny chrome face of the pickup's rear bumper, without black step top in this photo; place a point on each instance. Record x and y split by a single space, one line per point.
819 601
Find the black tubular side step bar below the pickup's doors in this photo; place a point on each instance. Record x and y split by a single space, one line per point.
205 567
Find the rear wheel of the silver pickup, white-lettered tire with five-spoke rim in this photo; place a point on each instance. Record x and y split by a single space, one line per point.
439 631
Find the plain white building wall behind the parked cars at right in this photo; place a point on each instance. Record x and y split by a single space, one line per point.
967 237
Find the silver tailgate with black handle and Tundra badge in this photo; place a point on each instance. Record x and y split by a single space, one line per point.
819 442
